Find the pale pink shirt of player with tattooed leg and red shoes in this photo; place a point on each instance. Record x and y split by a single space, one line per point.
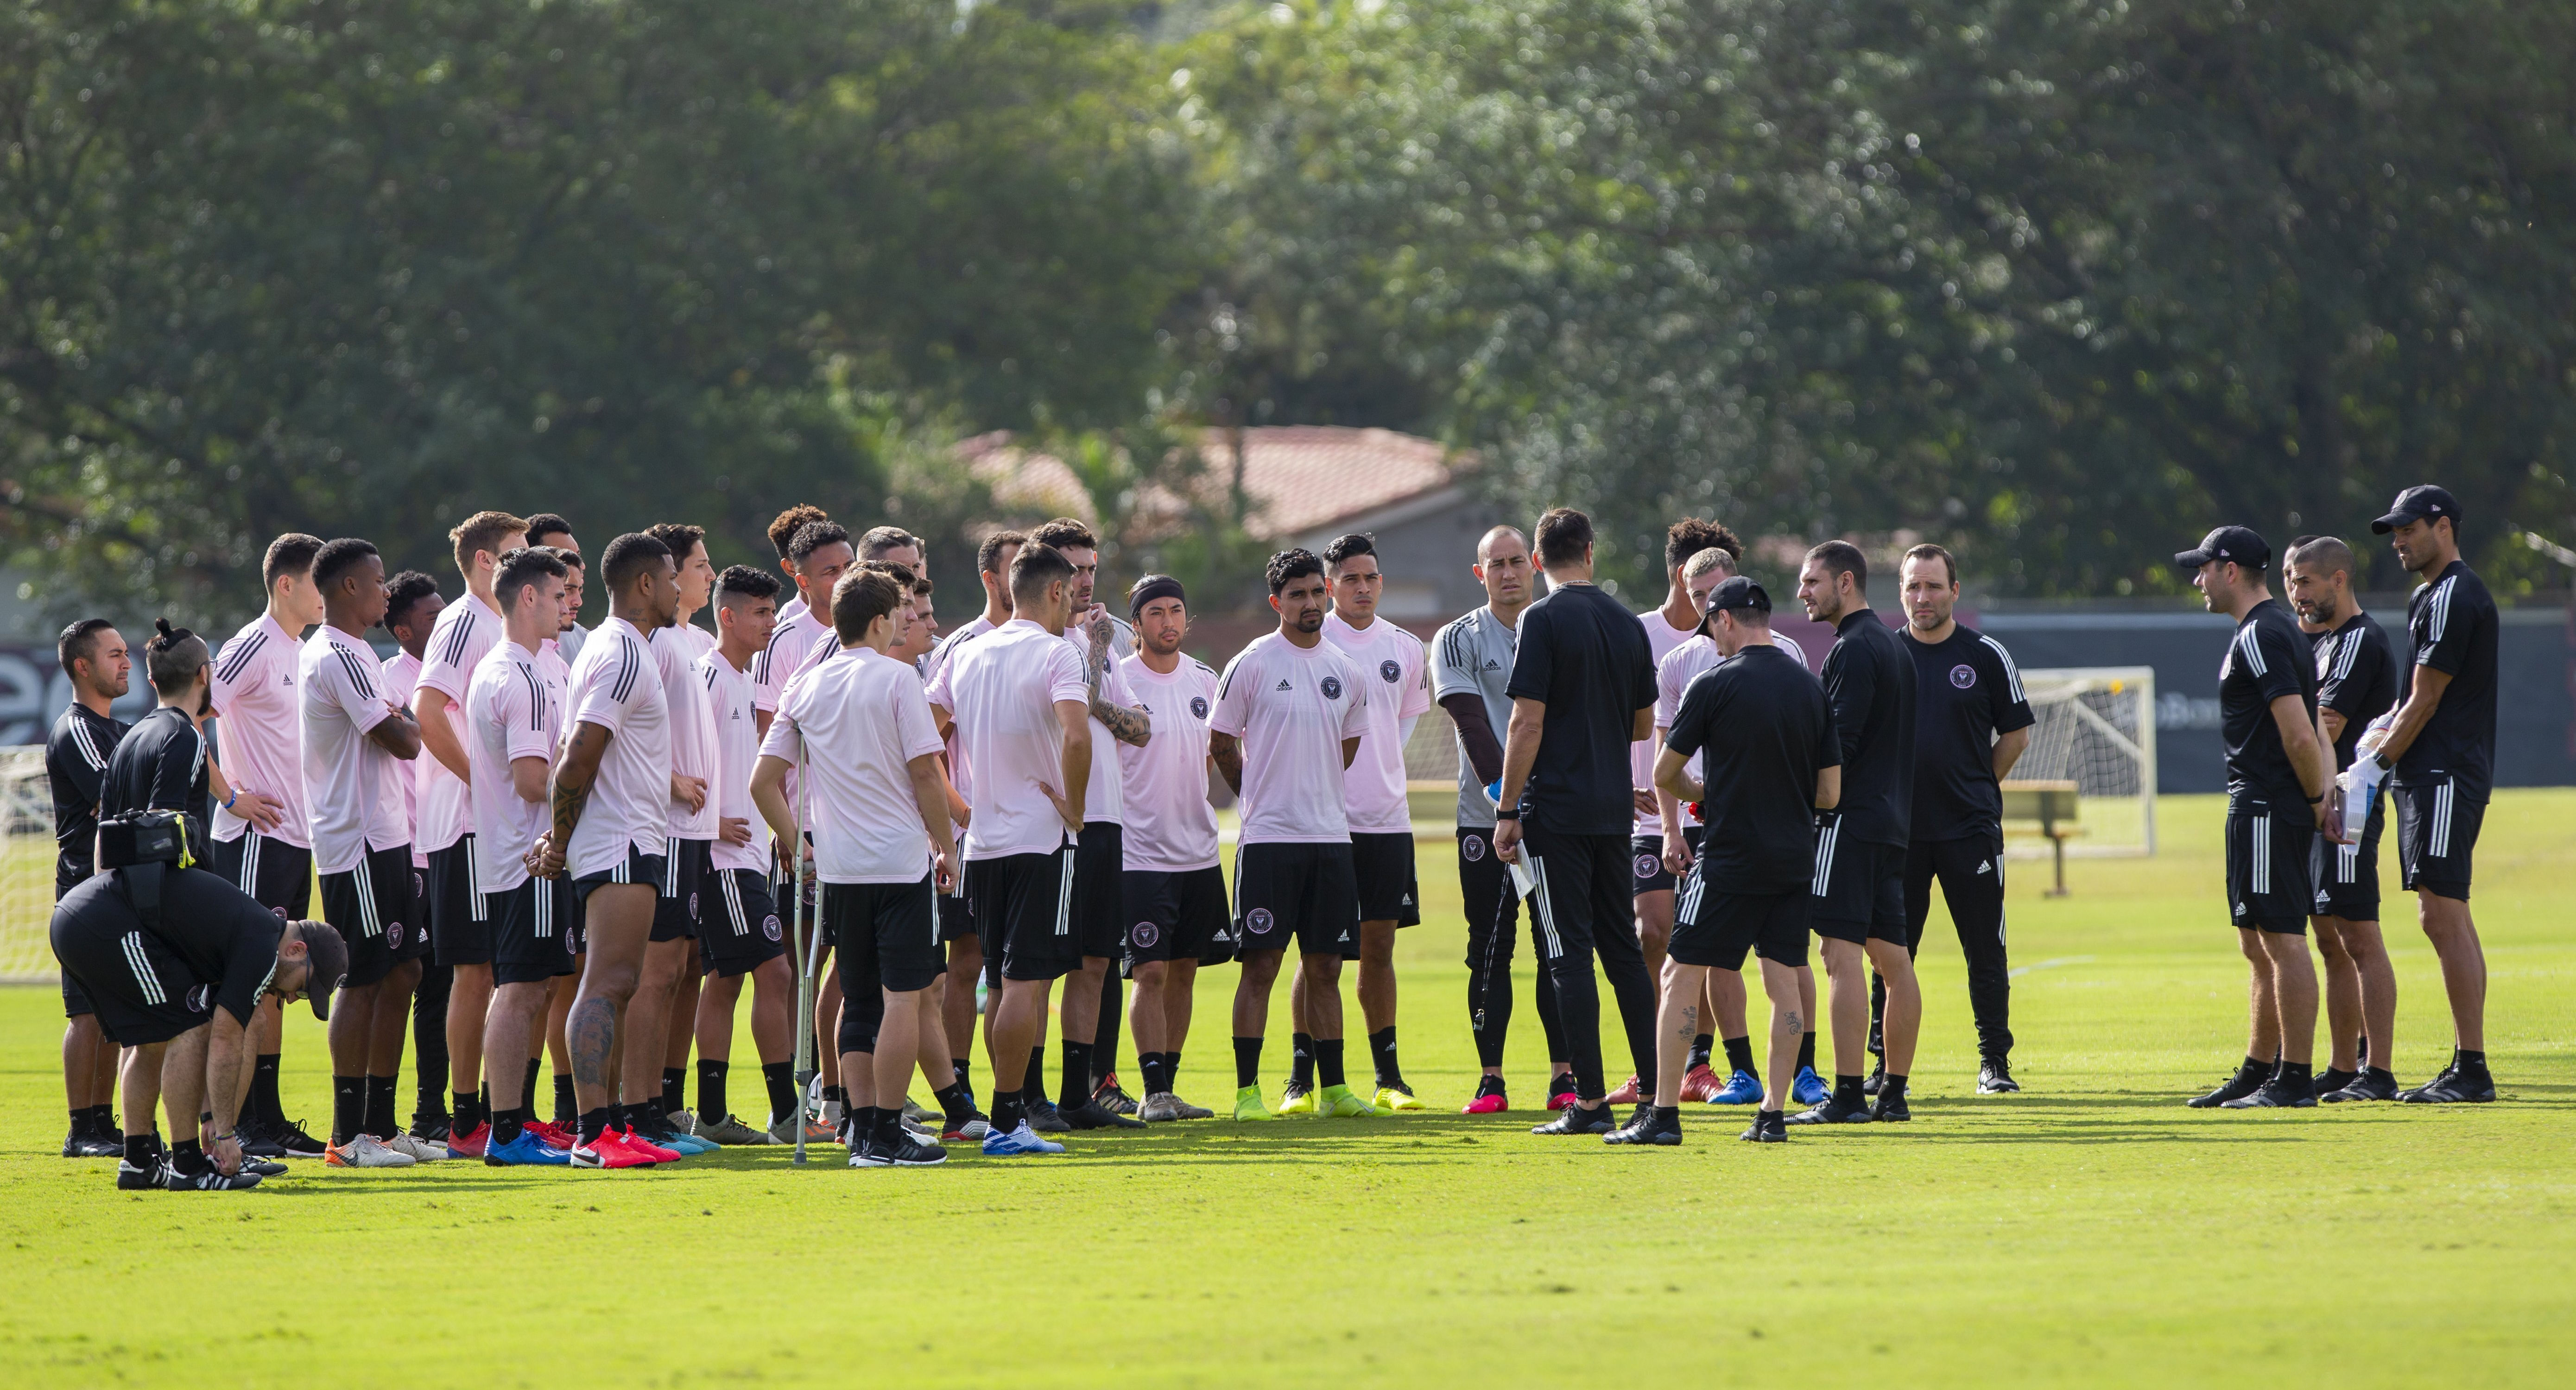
614 686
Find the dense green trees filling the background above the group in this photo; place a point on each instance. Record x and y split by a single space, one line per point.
2054 282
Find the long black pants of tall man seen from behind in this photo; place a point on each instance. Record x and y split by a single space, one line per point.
1583 907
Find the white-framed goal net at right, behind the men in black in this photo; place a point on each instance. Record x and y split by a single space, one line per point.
2096 730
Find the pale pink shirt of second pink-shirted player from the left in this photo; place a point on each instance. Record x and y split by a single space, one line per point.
352 784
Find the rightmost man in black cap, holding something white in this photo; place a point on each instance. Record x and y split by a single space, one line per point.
2443 750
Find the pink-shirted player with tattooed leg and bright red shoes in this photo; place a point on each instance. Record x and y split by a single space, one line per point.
612 820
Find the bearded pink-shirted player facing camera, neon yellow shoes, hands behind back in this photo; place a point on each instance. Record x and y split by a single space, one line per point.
1287 727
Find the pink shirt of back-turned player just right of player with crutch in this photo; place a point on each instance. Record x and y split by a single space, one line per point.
1006 689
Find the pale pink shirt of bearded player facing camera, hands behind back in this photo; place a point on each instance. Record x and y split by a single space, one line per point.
1292 707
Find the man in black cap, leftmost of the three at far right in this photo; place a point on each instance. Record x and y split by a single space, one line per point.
2276 799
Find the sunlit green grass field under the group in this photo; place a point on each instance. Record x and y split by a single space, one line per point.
2088 1232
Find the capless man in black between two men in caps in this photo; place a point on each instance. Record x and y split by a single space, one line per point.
2356 683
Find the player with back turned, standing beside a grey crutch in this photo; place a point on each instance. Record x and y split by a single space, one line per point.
862 735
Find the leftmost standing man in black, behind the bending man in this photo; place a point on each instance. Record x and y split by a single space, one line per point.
76 763
